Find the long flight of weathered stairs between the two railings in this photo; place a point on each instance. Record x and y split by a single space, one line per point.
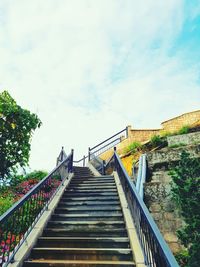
87 228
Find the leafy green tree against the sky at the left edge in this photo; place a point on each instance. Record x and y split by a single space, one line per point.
16 128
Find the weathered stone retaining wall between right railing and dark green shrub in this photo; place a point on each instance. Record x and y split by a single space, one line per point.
157 192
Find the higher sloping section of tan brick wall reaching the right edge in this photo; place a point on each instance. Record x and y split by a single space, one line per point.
175 124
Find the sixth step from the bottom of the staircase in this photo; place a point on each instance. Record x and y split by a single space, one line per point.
100 216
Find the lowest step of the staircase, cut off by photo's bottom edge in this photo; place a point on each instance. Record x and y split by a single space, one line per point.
77 263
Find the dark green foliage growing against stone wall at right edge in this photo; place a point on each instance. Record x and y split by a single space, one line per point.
186 193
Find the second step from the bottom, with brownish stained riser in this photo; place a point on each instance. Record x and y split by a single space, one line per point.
81 253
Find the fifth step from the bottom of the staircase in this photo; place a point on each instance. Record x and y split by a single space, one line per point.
84 224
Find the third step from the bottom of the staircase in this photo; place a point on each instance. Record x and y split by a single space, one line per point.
83 242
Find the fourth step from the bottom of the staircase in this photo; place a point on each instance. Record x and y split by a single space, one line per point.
86 232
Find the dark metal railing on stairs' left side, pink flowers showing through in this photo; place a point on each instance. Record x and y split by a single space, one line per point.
19 220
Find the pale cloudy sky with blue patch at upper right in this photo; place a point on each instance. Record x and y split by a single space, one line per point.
88 68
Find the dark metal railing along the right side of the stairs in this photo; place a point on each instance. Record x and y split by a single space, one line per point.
155 249
